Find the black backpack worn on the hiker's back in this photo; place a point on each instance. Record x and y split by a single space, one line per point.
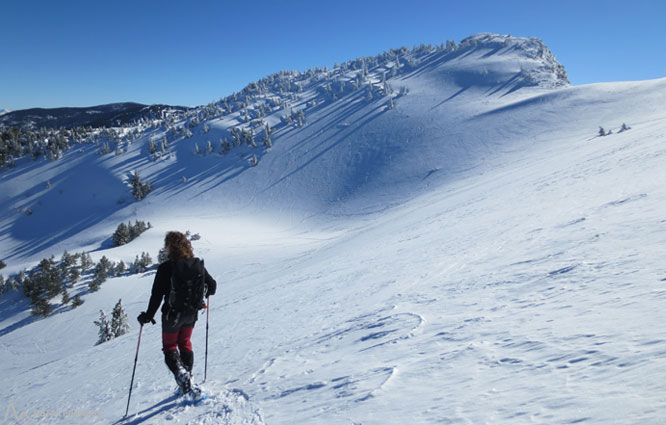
188 285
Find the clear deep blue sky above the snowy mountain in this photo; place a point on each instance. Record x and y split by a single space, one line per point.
84 53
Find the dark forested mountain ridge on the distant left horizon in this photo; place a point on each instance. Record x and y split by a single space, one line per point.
114 114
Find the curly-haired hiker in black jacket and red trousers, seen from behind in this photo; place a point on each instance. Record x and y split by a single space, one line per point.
183 284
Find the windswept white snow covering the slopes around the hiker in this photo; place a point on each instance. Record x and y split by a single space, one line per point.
475 255
